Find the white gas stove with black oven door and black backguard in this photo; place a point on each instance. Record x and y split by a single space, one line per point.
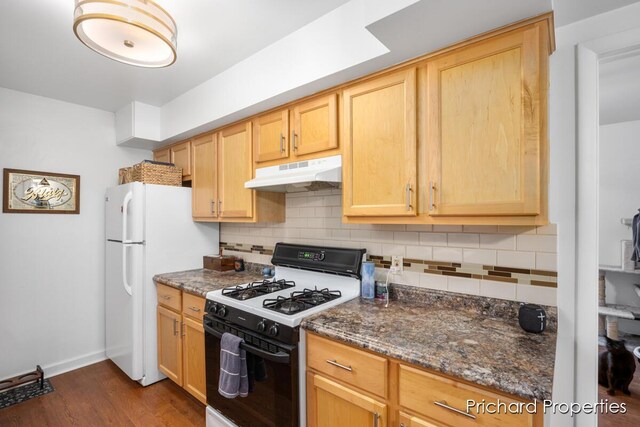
267 315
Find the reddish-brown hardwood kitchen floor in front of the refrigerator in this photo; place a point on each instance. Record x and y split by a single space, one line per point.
102 395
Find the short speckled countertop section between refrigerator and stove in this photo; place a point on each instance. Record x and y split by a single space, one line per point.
201 281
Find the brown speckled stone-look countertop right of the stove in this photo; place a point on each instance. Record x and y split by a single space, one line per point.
473 338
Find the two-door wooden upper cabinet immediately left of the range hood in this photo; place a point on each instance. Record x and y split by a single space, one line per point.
222 163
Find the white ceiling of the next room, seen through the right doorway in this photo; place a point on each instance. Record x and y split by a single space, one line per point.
619 91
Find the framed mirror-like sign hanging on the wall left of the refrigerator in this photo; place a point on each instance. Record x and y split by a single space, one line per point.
26 191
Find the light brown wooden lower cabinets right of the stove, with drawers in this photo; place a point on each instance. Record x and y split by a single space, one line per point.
413 397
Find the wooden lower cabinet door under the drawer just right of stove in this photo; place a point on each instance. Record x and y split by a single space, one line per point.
331 404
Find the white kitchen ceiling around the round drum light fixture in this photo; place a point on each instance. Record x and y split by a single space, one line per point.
39 53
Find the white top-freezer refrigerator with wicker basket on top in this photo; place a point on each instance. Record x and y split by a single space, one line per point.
149 230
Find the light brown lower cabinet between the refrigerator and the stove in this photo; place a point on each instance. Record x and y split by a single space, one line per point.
181 340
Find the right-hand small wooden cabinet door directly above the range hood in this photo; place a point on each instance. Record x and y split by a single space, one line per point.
315 126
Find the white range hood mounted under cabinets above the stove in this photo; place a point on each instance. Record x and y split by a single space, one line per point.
307 175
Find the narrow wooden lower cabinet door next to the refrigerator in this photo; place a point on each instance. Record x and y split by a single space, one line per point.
169 344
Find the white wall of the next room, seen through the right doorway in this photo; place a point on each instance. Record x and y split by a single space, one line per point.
619 179
